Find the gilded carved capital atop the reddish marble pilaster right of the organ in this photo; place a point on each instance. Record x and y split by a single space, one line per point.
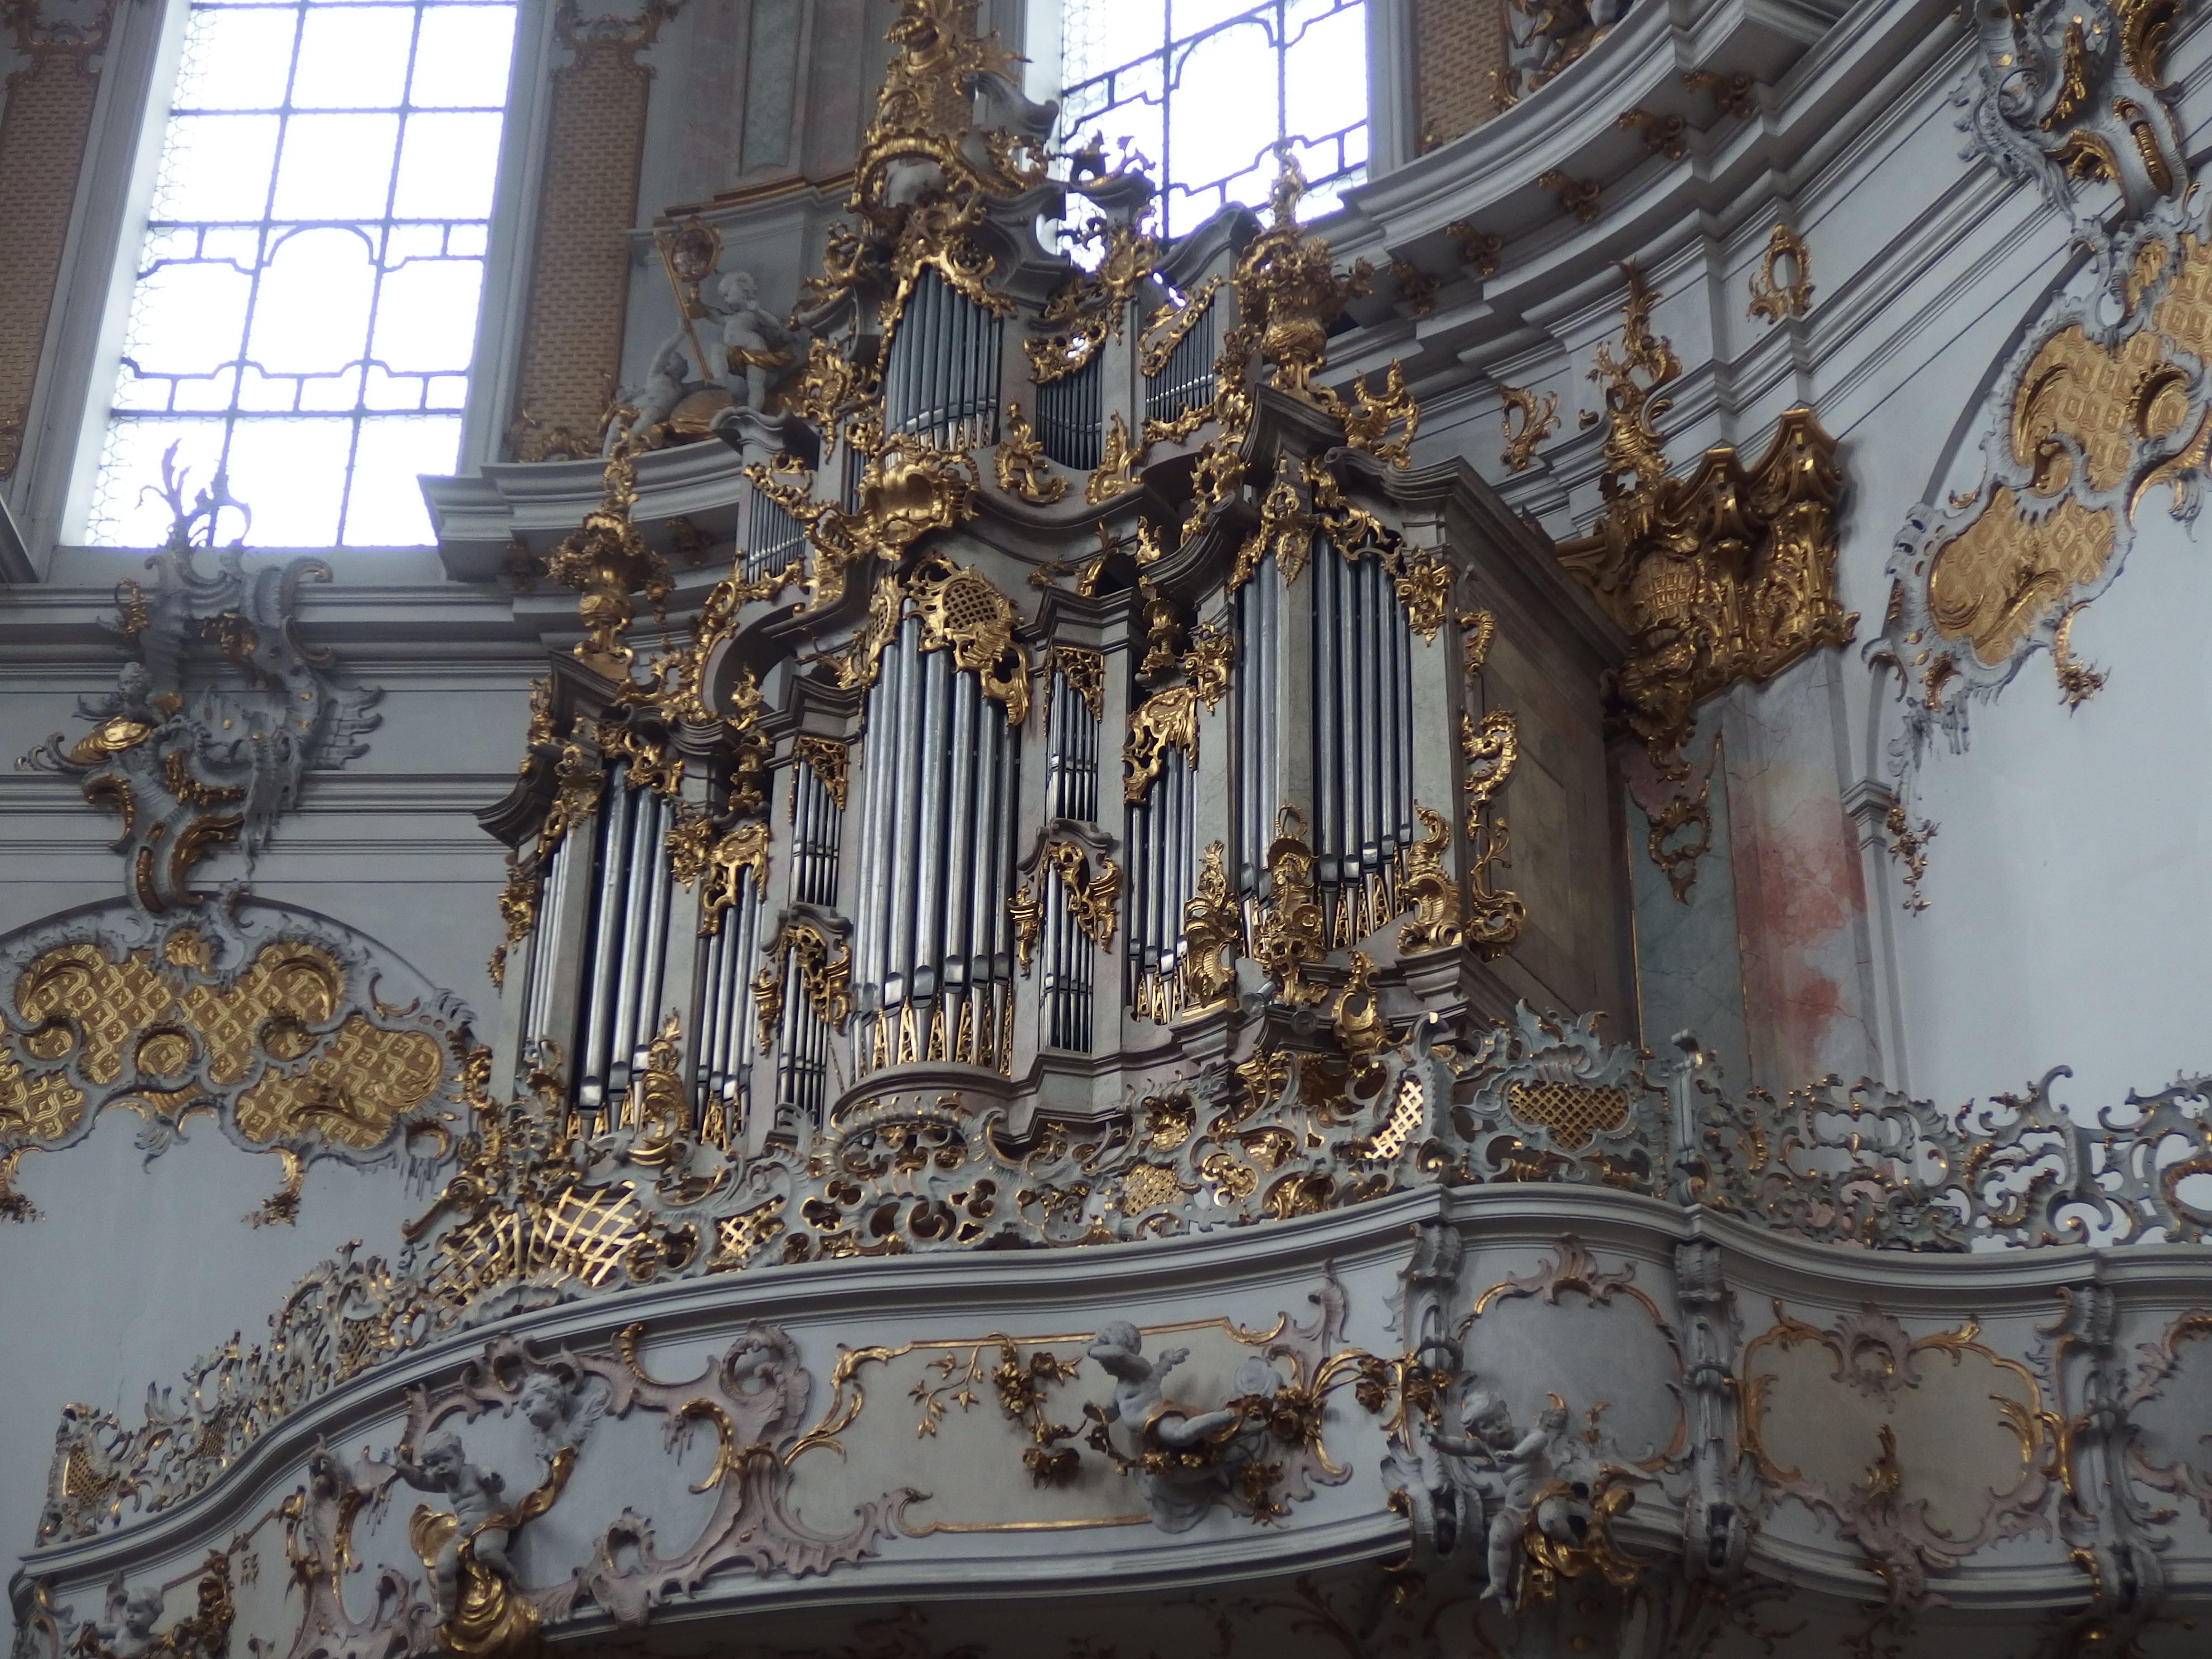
1722 576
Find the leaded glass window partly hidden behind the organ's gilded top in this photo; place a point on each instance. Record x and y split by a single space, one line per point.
1204 90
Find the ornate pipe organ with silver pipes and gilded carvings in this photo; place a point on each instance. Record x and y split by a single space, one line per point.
1019 530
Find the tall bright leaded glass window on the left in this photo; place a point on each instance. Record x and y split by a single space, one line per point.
306 298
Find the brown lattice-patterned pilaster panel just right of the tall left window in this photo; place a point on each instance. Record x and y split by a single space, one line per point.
581 264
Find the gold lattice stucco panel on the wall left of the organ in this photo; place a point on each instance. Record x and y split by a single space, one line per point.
273 1030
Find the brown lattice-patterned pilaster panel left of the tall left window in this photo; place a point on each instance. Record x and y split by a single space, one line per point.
43 134
